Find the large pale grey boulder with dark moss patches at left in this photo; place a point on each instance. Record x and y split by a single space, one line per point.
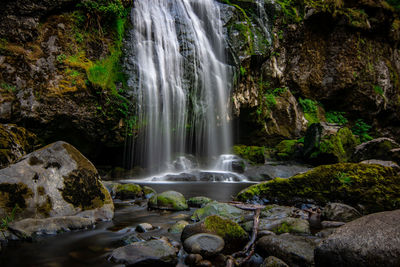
54 181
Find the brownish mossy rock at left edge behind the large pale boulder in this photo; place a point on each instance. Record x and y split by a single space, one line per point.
15 142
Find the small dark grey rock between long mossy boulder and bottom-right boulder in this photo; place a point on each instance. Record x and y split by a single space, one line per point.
340 212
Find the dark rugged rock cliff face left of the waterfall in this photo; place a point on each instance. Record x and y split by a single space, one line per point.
44 86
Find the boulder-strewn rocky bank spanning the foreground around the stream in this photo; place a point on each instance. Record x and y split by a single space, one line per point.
296 221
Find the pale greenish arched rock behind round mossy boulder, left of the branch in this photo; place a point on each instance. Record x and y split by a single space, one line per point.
221 209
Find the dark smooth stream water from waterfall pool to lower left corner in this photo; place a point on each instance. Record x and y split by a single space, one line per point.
92 247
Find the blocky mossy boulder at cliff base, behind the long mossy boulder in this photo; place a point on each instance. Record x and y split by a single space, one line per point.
327 143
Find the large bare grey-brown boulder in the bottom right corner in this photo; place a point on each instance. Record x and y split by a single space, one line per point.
373 240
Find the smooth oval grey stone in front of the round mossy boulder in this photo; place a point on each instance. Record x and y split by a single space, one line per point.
204 244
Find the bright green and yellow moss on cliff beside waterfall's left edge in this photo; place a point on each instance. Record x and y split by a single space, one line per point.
101 22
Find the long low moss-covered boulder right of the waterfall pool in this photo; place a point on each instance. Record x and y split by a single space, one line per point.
375 187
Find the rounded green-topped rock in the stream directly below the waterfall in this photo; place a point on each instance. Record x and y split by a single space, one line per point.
168 200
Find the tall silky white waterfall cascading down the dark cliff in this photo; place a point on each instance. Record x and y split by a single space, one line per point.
180 82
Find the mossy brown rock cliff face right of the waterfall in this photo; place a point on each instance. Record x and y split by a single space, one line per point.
343 55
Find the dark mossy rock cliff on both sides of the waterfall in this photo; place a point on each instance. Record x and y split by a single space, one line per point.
295 63
